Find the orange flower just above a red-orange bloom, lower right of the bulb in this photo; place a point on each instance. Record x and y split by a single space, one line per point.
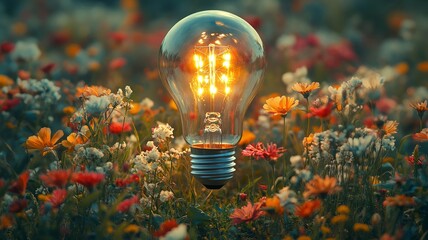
321 187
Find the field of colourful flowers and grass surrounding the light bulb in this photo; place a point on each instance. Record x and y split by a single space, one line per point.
335 144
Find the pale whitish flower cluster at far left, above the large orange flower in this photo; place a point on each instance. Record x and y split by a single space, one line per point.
39 92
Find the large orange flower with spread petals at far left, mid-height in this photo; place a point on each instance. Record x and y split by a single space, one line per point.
43 141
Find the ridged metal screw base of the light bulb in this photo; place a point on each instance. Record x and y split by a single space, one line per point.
213 167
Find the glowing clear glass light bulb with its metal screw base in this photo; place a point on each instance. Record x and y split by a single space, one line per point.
212 63
